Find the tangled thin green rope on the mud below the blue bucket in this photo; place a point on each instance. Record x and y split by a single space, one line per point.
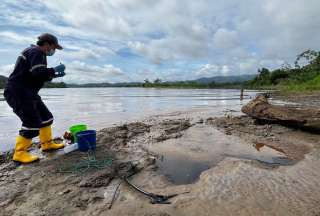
83 166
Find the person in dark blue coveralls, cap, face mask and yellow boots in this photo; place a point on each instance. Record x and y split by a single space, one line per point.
21 93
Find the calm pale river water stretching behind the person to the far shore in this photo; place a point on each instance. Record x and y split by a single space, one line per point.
102 107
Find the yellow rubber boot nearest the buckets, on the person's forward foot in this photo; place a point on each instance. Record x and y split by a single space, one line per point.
46 141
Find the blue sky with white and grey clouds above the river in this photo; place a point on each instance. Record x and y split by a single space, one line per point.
131 40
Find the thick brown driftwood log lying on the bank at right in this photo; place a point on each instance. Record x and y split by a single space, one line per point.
305 119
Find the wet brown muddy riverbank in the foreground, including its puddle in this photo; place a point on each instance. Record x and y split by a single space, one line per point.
229 165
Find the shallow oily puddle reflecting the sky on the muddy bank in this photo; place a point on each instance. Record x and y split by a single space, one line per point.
182 160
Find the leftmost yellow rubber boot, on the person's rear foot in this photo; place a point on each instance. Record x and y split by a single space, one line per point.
21 151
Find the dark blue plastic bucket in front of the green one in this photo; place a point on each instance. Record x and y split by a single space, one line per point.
86 140
